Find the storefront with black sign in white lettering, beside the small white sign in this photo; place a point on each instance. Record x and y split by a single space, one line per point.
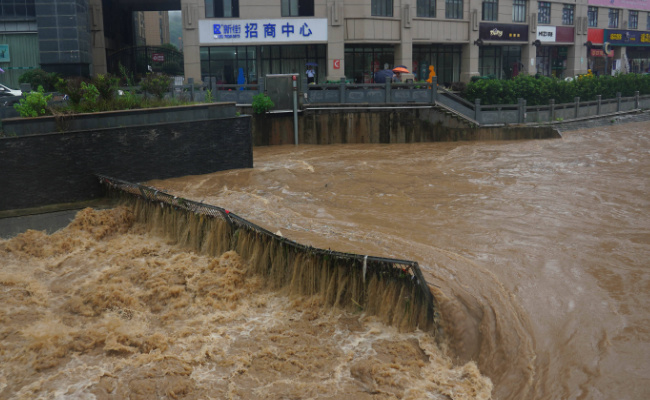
500 49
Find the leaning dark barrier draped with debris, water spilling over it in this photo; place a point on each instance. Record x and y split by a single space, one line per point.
391 289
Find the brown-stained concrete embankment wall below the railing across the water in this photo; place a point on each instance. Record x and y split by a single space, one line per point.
364 124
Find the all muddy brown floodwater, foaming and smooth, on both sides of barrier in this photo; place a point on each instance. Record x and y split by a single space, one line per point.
538 253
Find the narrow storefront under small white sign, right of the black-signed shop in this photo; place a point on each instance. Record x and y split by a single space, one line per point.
552 43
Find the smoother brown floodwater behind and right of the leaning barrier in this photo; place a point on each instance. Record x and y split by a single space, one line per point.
539 251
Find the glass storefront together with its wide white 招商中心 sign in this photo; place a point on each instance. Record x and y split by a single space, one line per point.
243 51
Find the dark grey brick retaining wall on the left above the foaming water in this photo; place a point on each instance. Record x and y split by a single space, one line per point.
55 168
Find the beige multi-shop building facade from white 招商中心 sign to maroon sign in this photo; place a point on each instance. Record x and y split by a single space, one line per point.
354 39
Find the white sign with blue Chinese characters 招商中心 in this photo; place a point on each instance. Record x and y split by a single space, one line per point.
266 31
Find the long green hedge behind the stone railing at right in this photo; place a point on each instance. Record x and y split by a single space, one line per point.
538 90
